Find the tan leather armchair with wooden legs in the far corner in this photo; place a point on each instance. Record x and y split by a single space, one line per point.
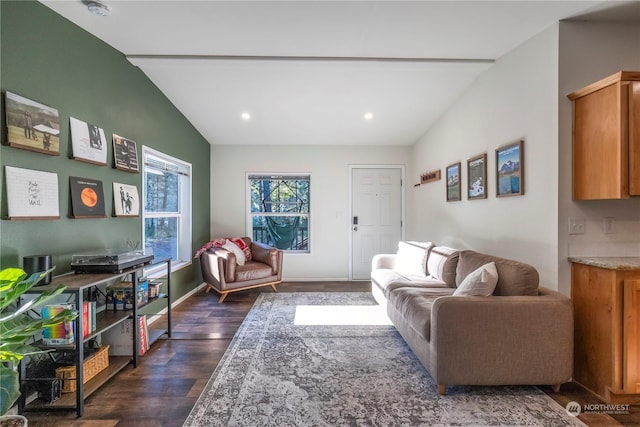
223 274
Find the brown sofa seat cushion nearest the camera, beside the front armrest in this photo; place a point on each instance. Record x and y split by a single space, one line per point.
415 306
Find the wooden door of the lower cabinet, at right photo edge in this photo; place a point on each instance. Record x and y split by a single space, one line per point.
631 341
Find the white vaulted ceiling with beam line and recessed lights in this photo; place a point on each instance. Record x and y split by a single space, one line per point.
307 71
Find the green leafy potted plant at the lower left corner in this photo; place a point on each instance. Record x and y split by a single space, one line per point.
17 327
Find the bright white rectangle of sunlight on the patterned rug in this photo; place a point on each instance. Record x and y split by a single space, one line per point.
341 315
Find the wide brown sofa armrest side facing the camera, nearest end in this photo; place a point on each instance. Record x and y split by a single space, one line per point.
502 339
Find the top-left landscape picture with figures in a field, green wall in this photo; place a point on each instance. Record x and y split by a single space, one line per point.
31 125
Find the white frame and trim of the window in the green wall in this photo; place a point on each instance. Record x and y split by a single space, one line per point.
185 228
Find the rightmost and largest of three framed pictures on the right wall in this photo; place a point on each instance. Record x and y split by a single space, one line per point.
510 169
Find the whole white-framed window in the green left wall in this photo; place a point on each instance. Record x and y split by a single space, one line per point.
167 206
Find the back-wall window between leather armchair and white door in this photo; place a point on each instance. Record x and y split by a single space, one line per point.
279 210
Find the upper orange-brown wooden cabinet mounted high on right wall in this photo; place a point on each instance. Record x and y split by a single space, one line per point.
606 138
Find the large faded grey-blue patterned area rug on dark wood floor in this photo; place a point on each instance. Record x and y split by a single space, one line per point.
333 359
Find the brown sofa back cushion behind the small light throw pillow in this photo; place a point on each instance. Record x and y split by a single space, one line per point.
514 277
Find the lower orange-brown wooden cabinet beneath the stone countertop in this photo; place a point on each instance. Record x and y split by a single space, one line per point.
607 331
